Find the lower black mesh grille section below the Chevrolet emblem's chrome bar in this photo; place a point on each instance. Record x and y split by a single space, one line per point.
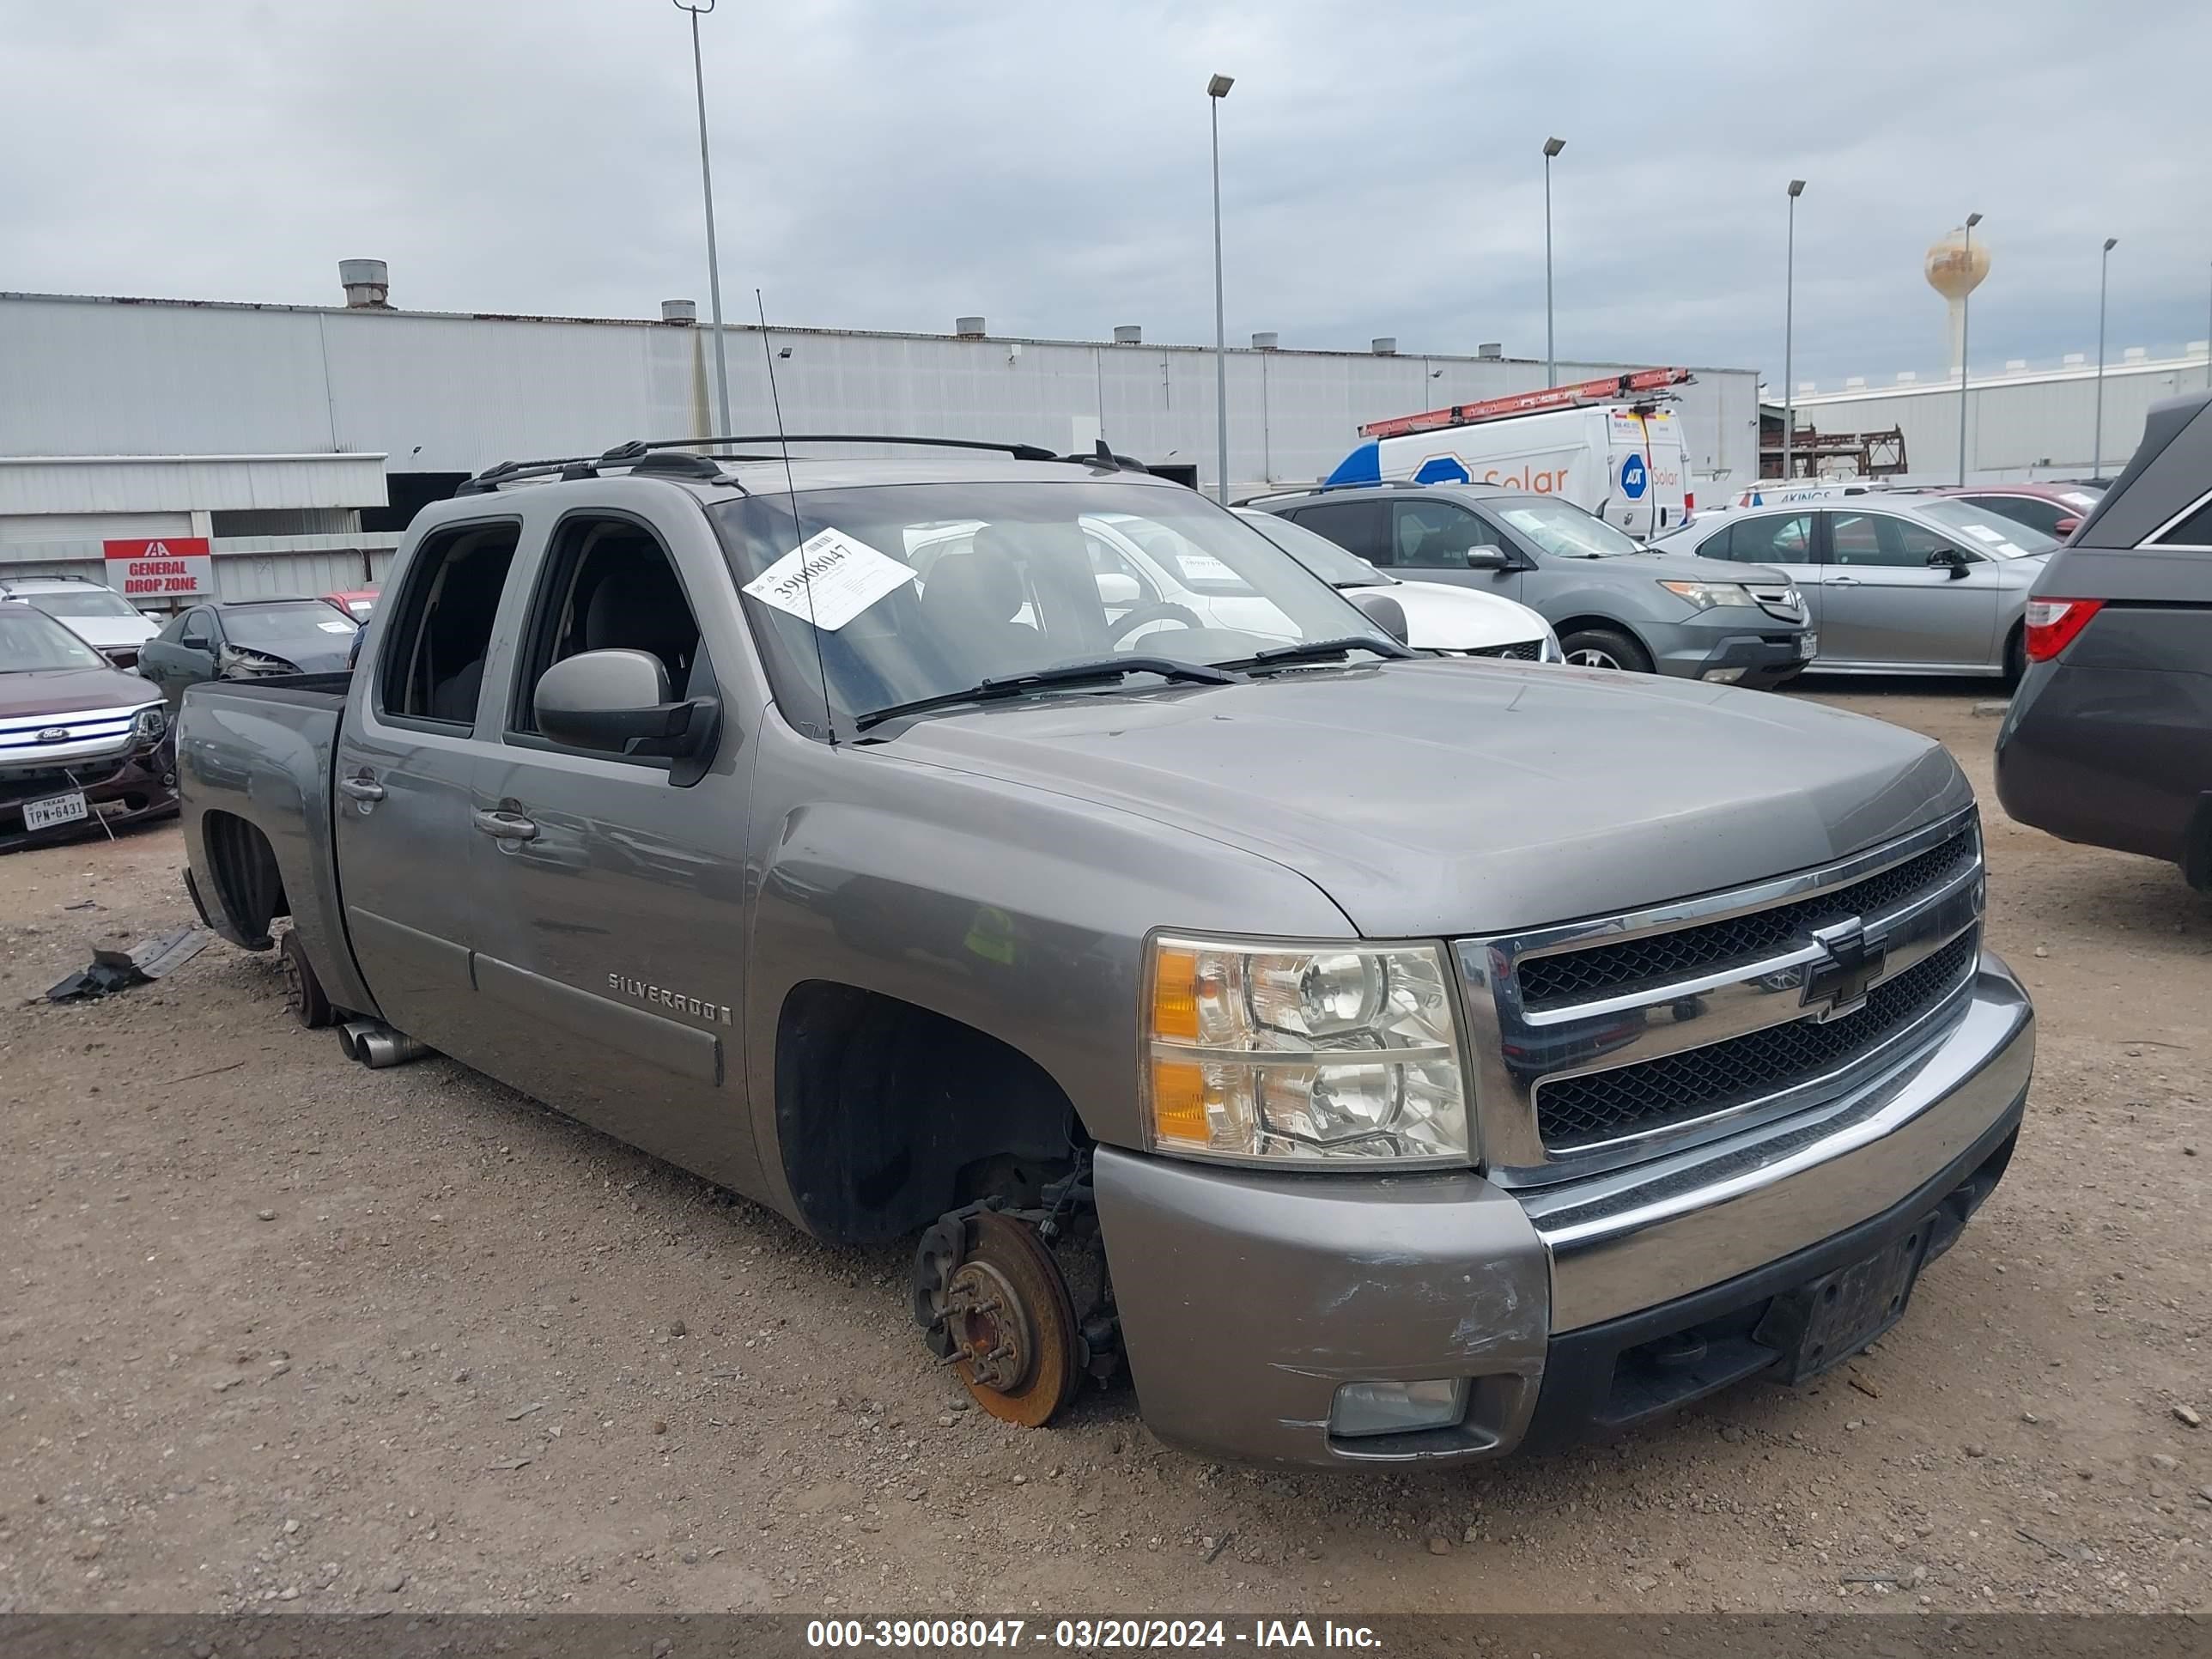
1658 1094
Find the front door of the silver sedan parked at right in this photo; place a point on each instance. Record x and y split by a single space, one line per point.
1886 605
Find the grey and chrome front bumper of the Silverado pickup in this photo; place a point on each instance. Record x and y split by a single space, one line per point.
1246 1300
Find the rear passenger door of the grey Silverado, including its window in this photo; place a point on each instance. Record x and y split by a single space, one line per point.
408 755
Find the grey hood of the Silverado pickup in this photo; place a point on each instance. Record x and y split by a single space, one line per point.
1463 797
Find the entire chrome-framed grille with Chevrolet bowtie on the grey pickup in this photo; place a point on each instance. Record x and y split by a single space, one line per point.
1609 1041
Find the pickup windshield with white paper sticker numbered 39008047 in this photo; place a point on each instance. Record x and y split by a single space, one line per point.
884 596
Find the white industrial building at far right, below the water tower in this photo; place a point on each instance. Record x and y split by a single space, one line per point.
2021 424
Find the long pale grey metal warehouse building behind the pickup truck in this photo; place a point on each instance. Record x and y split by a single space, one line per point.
302 439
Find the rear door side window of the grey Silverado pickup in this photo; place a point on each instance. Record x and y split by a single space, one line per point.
441 627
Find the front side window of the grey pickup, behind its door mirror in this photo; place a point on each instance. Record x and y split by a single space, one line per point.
609 585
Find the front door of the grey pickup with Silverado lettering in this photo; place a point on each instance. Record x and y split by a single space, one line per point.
612 937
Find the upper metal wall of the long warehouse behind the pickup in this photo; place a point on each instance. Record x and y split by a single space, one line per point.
441 393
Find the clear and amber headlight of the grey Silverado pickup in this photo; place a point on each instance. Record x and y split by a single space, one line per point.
1304 1054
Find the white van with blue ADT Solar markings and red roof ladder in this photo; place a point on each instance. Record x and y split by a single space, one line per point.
1618 459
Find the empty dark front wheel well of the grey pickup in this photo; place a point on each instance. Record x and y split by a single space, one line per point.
890 1116
